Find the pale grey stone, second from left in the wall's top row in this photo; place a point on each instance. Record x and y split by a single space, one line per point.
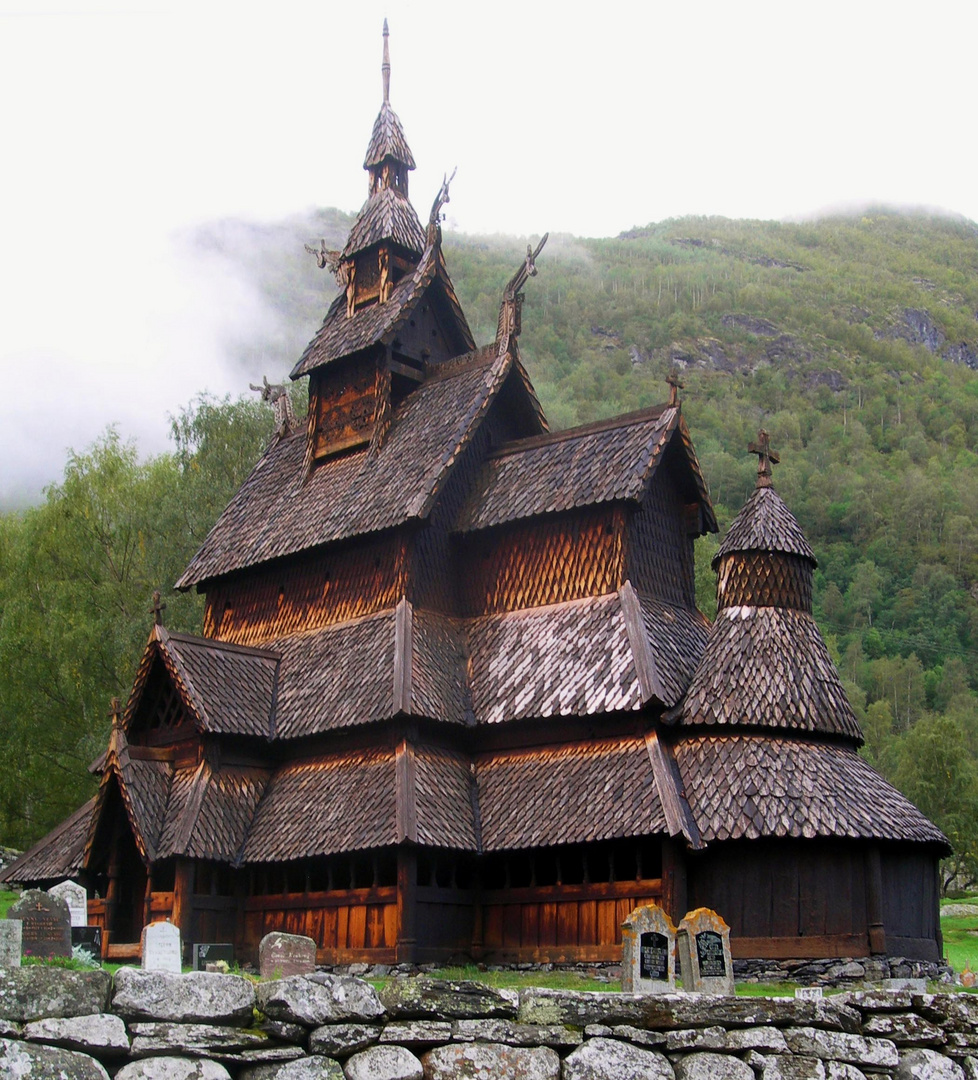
198 997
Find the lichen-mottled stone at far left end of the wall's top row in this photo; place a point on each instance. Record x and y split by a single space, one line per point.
39 992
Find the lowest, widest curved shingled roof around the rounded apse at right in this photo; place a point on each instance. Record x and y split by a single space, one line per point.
753 787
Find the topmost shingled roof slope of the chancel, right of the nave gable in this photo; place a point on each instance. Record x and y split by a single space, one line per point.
579 467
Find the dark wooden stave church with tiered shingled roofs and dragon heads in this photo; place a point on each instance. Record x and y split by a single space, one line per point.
454 697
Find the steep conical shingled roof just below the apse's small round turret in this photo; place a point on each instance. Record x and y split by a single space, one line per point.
769 668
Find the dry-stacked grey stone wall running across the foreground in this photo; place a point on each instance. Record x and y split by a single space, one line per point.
56 1023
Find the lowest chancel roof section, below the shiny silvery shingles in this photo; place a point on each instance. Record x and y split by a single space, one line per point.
569 794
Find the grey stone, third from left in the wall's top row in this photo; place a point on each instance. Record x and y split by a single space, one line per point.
318 1000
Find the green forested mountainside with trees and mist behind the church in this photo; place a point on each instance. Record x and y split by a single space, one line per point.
853 341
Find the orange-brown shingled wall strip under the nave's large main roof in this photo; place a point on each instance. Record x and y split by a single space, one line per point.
306 595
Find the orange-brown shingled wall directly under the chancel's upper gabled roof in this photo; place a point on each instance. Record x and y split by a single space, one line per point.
548 561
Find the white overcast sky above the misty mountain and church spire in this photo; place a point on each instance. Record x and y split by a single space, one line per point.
126 124
